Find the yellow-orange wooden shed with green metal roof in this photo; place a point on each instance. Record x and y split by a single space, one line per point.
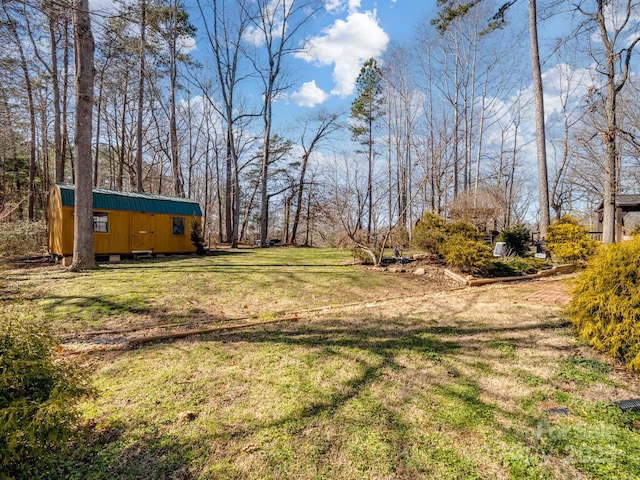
124 223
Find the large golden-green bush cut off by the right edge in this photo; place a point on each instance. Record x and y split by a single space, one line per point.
606 302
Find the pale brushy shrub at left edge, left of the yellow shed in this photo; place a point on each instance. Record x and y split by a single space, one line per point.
22 238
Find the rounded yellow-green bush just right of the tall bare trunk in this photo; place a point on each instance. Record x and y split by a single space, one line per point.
569 241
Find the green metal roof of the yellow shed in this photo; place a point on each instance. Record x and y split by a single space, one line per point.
133 201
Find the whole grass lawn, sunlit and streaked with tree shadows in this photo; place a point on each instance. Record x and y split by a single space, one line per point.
428 384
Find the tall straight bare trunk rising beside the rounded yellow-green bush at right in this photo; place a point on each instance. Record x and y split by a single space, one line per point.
543 183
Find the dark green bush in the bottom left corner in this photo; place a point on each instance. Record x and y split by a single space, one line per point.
38 395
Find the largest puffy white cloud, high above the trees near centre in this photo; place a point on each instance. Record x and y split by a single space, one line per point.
346 45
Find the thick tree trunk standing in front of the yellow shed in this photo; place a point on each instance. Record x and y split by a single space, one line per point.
83 255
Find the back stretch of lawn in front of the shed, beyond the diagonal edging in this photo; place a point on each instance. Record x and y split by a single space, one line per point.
228 285
